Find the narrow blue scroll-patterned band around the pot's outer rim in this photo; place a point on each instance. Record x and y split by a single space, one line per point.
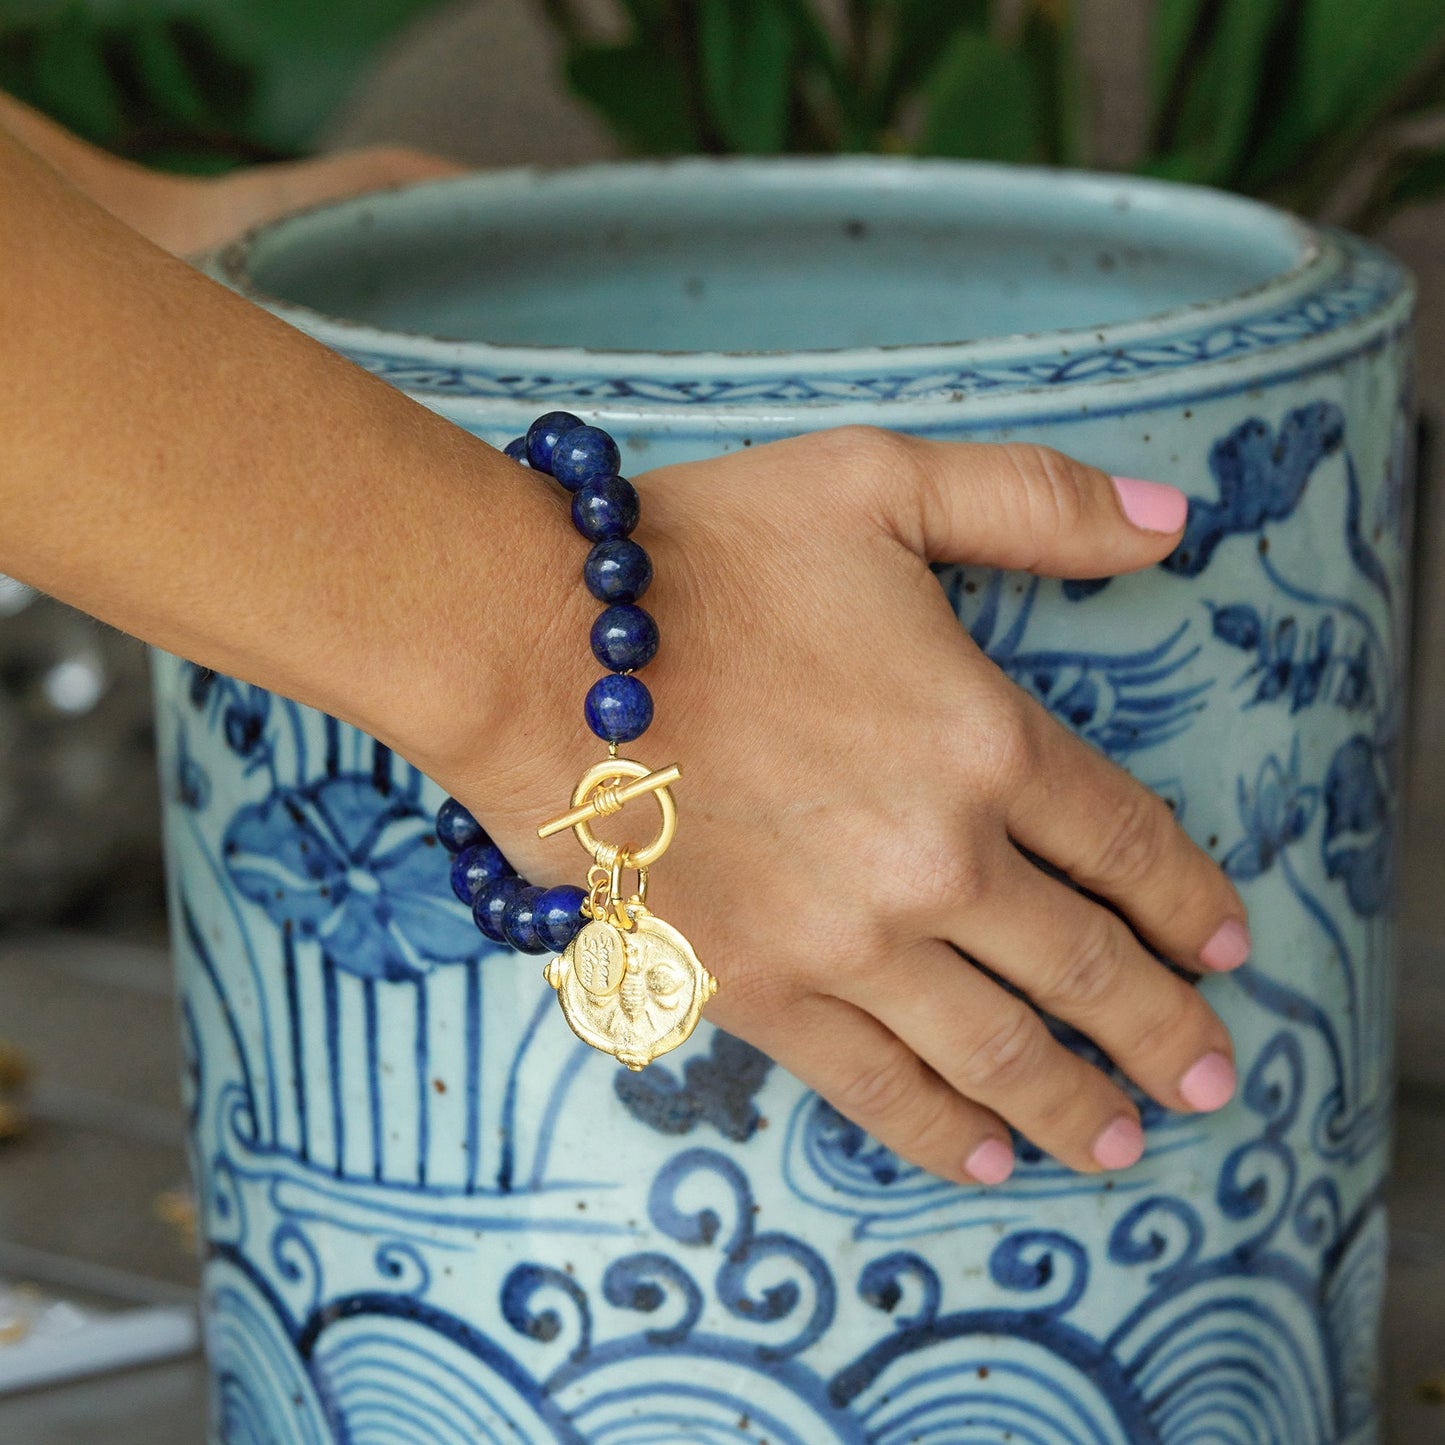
1366 282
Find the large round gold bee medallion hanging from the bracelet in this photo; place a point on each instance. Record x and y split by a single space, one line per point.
655 1002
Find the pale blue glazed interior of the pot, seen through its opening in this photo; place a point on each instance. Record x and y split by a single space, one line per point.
769 258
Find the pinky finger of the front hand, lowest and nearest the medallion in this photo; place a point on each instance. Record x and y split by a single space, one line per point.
875 1080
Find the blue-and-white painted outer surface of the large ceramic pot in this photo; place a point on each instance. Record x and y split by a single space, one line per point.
430 1213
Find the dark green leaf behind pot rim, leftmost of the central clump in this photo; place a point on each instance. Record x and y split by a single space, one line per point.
641 92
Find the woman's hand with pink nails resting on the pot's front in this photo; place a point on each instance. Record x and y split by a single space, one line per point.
860 785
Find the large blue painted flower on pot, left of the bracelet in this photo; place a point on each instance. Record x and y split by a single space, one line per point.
356 872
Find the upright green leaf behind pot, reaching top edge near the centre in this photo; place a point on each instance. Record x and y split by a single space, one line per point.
746 51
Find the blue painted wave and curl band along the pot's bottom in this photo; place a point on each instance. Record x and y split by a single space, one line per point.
1225 1339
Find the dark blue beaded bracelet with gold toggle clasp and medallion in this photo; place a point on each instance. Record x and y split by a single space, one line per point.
629 983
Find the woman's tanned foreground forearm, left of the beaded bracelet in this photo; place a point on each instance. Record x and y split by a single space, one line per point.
194 472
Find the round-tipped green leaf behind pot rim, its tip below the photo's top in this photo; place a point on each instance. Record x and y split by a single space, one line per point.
983 103
